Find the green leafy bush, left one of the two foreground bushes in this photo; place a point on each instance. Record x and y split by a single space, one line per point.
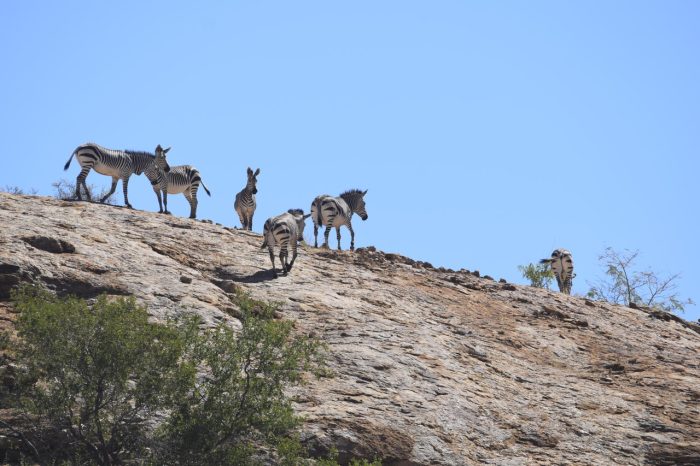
96 375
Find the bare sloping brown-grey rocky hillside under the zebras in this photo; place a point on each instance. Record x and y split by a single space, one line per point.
432 366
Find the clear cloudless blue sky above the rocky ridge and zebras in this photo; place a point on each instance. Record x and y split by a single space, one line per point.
487 133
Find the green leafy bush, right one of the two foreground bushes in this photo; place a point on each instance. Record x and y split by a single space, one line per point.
240 403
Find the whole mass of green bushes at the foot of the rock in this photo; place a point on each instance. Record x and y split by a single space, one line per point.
102 384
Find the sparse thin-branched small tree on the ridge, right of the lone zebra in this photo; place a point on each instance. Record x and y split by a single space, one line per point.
625 285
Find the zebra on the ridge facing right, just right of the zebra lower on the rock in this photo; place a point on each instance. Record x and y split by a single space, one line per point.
337 211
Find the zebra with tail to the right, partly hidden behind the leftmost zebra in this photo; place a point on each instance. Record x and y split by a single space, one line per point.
180 179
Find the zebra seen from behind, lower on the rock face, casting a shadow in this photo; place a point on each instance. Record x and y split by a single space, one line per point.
284 230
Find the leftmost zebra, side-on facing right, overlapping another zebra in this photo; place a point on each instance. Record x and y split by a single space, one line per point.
117 164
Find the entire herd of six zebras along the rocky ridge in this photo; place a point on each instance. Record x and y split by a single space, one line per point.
283 230
